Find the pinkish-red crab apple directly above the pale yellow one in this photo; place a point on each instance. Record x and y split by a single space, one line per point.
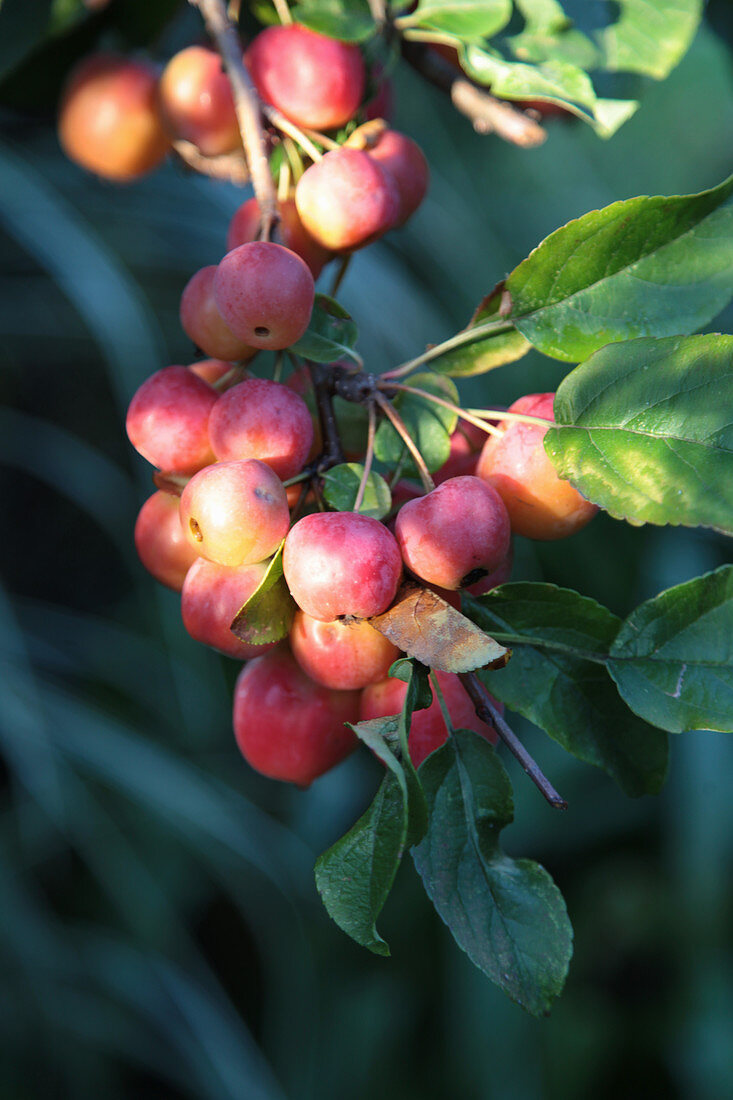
266 421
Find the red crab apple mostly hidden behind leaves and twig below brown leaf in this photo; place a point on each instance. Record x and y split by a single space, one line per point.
429 730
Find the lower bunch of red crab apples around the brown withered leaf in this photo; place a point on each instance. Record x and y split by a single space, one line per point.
228 452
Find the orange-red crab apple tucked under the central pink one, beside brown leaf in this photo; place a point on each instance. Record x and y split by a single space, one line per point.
344 656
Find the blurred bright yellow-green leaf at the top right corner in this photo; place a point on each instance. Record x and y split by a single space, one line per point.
650 37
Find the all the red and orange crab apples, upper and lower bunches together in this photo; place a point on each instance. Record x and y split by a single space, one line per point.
237 455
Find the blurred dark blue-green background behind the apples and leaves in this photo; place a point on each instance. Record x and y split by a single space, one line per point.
161 931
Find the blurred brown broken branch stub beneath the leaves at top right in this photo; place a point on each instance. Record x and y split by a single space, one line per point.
487 114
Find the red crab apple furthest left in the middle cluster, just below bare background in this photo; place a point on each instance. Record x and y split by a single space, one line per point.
168 421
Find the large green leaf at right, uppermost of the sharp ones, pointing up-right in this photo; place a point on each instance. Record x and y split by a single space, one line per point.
646 267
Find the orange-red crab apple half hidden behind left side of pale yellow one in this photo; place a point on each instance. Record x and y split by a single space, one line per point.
161 543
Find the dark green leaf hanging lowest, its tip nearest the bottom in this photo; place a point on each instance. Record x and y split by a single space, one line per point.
507 915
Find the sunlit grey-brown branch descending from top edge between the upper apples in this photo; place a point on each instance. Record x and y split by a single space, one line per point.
247 105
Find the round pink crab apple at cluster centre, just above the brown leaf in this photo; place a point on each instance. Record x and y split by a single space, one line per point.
342 564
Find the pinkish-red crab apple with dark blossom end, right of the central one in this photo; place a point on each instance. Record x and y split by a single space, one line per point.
454 532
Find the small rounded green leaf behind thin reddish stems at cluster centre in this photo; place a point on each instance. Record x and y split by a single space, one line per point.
429 425
